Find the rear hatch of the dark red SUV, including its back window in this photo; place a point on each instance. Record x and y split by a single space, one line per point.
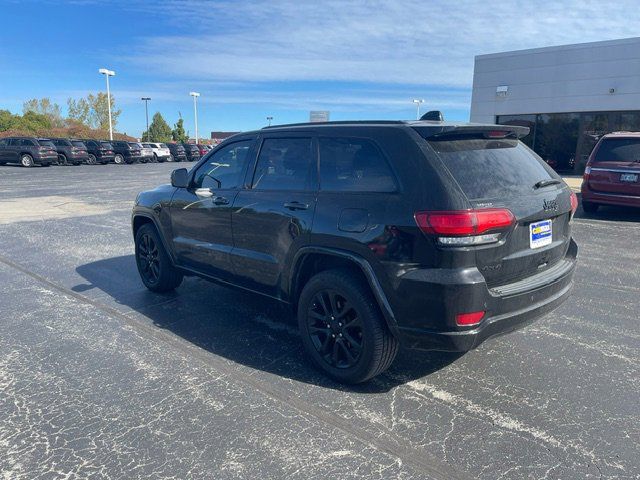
615 166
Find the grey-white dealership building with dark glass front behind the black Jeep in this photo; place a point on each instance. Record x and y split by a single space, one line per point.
568 96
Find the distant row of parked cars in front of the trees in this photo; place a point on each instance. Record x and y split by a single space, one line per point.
31 151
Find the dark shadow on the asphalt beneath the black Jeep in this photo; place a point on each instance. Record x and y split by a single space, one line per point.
242 327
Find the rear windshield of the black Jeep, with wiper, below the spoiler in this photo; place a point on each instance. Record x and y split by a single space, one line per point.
486 168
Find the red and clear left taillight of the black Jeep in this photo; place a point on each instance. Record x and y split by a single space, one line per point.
466 227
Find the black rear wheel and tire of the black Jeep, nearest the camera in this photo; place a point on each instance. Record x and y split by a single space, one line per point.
328 298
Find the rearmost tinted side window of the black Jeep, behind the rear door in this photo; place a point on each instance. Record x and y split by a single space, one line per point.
354 165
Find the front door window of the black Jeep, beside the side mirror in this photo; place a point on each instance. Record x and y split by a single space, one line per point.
225 168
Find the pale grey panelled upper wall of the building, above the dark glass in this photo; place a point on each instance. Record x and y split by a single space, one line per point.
569 78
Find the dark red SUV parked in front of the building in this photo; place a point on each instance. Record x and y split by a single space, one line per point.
612 174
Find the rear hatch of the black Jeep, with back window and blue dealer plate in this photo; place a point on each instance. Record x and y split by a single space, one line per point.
496 171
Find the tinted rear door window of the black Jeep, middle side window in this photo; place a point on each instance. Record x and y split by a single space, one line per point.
286 164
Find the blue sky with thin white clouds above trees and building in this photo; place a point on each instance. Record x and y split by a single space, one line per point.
249 59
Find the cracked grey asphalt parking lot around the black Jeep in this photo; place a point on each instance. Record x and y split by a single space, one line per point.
100 378
